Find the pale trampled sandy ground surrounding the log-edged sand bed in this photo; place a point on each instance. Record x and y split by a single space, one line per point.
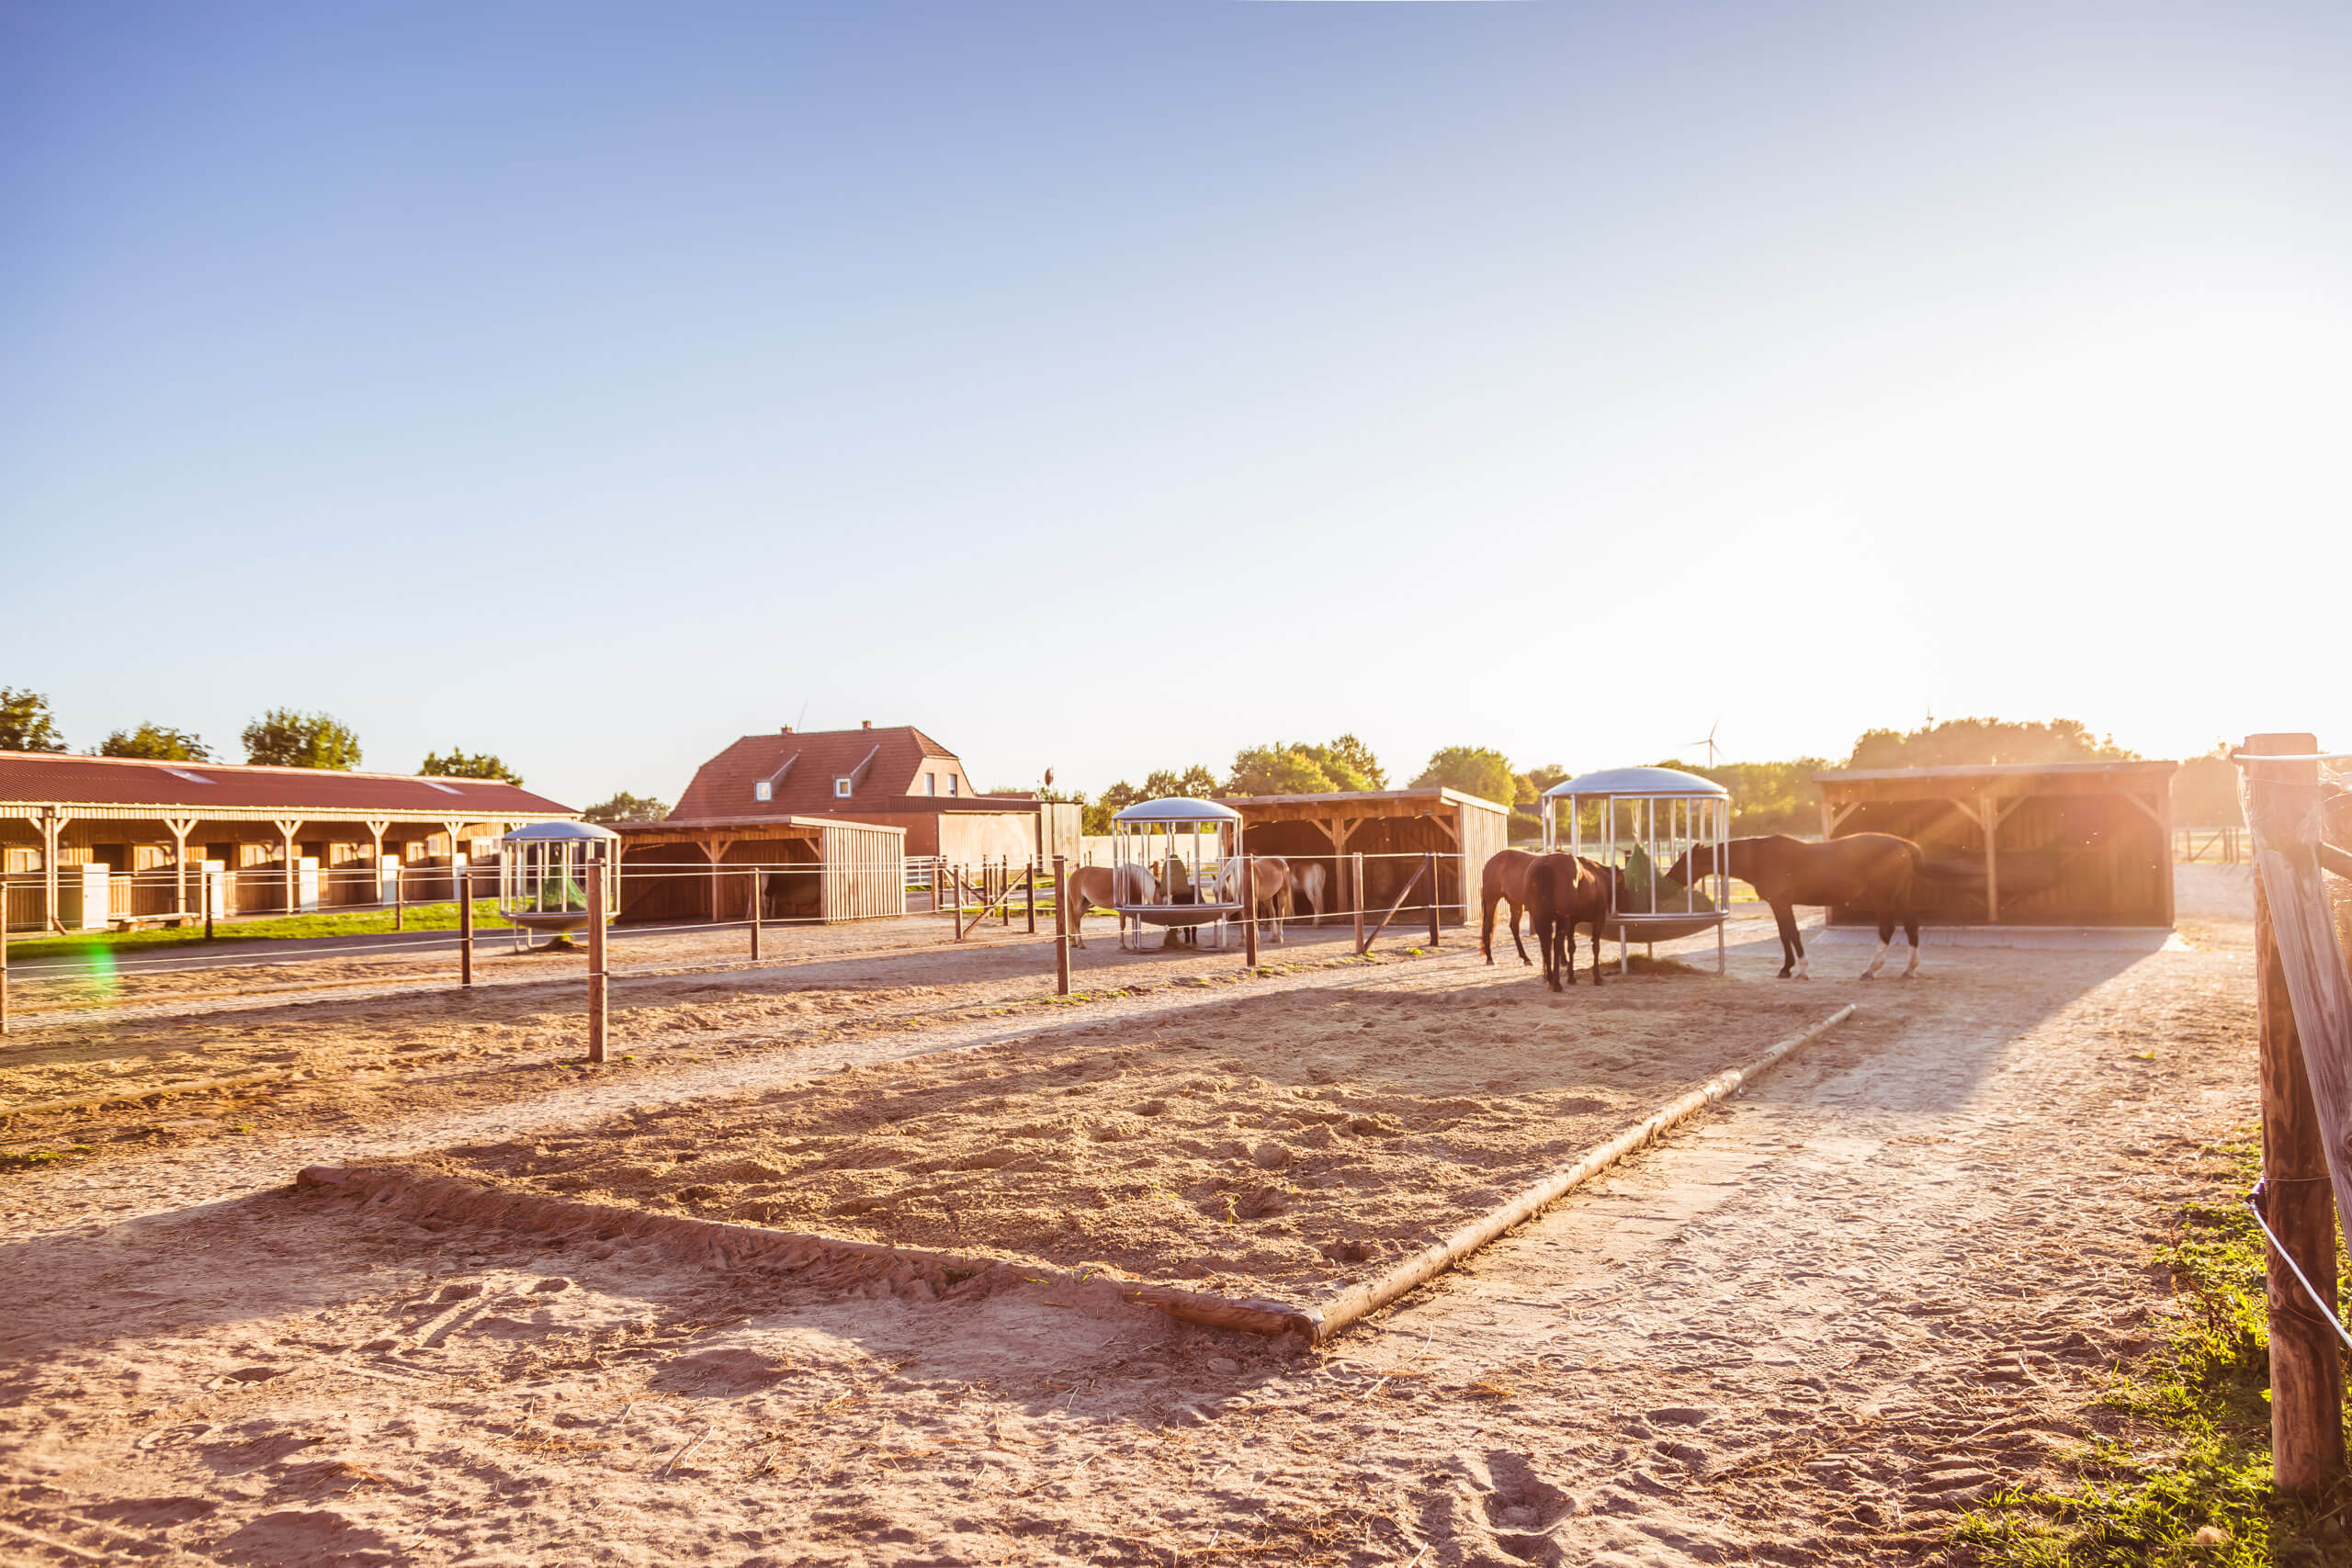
1808 1329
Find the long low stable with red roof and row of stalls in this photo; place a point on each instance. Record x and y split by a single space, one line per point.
109 840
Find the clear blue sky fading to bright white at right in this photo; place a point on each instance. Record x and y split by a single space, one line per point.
1116 384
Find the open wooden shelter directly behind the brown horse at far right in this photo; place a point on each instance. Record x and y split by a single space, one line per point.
2022 845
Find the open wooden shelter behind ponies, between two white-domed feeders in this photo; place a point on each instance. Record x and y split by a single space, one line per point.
1462 831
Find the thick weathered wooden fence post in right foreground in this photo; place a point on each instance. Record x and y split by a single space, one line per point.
2306 1367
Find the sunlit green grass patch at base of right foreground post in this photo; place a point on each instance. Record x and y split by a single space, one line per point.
2193 1489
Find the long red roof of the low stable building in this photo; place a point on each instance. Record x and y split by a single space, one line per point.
55 779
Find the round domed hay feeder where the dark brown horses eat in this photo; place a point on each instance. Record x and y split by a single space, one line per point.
1643 822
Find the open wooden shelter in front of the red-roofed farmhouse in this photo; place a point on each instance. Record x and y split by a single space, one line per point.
806 869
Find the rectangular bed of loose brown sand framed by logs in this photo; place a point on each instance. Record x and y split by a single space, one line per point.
1267 1144
